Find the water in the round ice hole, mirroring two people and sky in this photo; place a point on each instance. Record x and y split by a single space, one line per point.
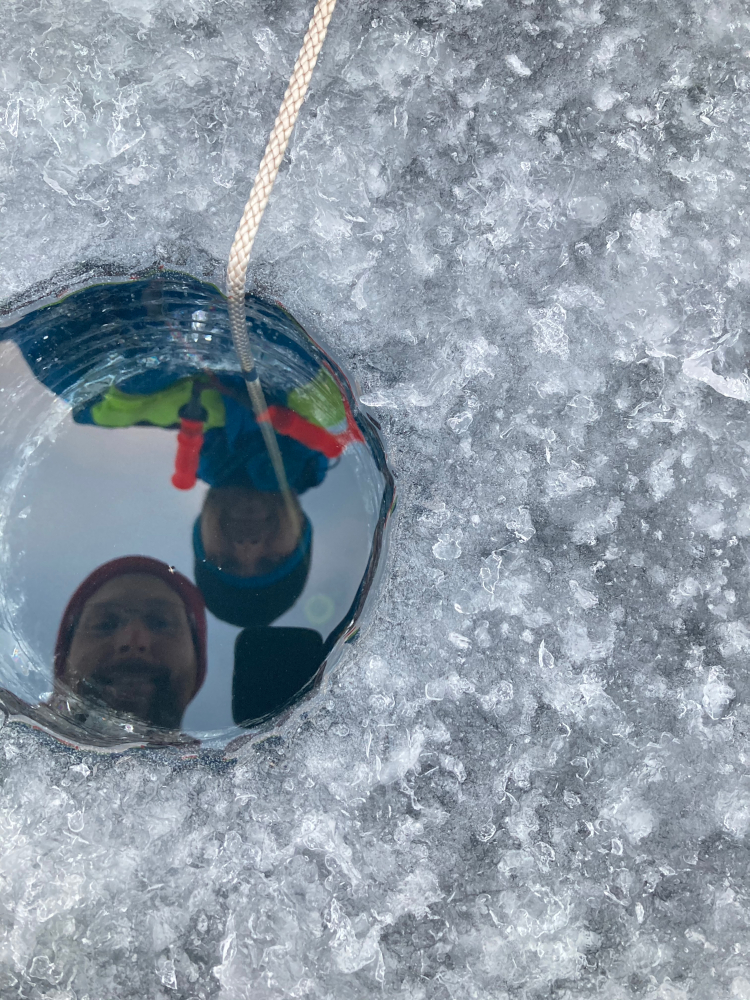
142 650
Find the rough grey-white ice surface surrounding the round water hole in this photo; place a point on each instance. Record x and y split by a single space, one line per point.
524 227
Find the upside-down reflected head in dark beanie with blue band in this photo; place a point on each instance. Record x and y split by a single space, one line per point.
251 556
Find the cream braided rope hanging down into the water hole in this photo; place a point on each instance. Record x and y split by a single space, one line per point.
239 255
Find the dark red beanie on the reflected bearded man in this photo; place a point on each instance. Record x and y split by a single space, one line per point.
185 590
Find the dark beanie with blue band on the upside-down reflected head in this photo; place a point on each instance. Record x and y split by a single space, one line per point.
252 600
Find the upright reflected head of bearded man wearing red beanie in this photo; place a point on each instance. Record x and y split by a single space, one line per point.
133 637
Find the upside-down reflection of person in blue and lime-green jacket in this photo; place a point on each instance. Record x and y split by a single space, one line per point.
252 554
